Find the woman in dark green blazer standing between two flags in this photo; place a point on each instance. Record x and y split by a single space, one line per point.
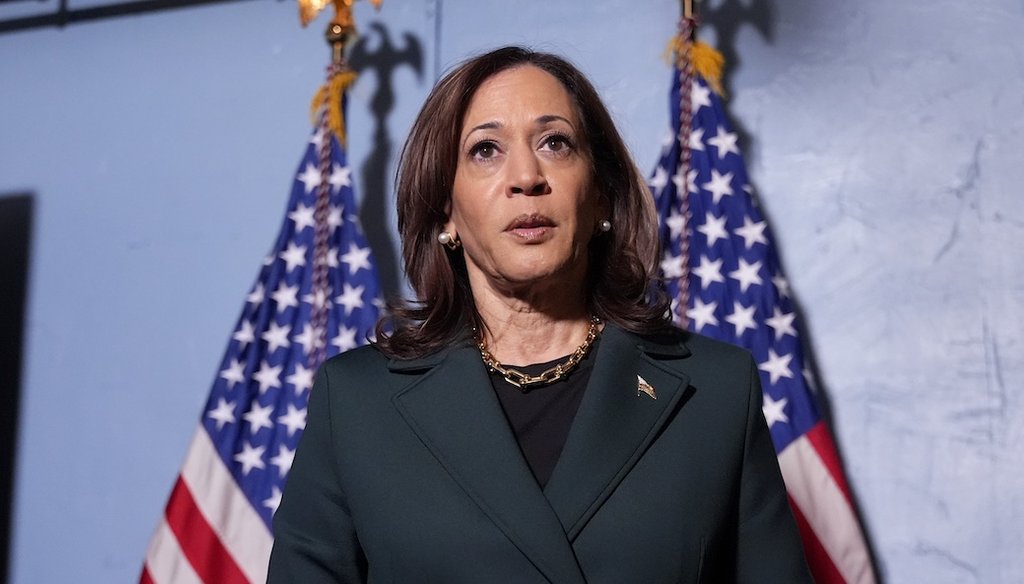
533 418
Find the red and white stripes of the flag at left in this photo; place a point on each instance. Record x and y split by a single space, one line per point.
210 532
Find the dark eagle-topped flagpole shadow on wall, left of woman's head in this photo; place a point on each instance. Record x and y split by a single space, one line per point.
375 52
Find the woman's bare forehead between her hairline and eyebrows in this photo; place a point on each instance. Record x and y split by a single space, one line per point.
523 92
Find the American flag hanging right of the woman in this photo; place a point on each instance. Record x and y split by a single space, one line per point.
722 271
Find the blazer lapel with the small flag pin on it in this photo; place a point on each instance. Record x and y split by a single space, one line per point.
618 420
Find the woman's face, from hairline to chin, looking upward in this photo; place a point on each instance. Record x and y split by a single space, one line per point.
523 201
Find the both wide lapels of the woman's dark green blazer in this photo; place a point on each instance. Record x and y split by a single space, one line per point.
452 409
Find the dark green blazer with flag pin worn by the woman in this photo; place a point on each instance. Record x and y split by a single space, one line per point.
408 473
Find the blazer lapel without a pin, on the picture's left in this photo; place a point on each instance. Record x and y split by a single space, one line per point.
454 411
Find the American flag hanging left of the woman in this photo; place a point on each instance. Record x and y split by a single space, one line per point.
217 527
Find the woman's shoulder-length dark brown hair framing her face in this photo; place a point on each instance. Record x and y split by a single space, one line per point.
623 263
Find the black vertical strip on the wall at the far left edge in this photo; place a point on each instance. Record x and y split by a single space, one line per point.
16 232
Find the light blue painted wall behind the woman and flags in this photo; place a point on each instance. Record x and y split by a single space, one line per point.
887 142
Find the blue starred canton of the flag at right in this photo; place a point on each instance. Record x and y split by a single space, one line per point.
738 291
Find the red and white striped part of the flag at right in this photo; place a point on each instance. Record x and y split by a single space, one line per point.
822 504
